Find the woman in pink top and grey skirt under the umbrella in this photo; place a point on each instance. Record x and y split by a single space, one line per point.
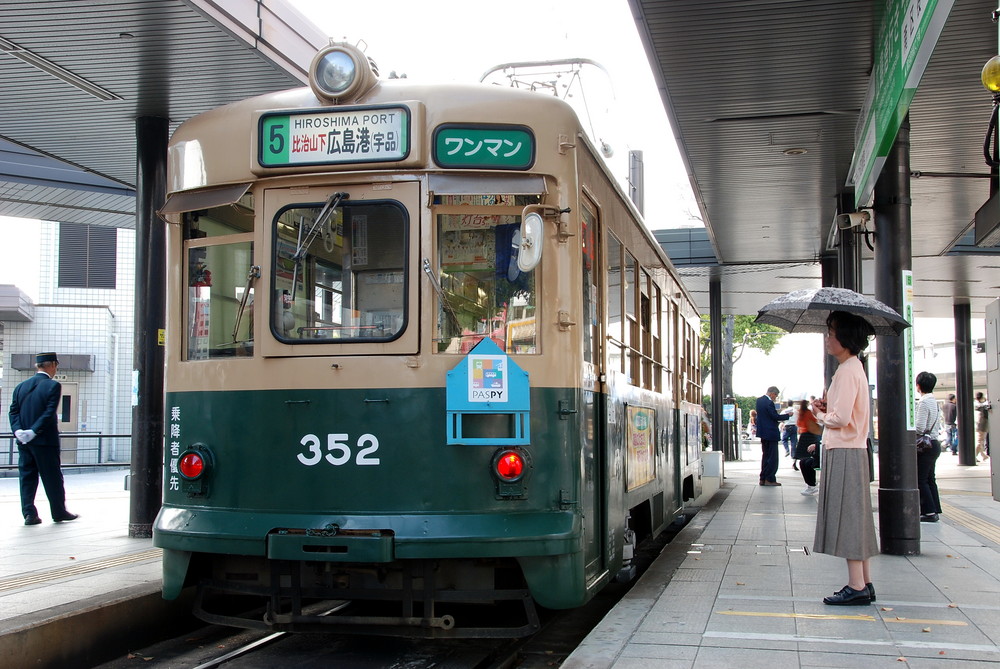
844 523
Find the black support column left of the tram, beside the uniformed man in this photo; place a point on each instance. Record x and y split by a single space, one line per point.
151 135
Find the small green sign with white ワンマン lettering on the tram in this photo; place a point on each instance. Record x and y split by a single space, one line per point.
498 147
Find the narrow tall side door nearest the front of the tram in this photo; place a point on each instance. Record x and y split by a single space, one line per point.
594 405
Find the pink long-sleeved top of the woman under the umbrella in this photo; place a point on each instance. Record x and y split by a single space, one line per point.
847 404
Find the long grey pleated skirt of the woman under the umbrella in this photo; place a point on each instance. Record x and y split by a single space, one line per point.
845 526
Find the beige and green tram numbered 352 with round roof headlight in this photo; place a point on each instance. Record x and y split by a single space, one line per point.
423 358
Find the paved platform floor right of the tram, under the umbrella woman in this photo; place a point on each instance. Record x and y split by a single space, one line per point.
741 587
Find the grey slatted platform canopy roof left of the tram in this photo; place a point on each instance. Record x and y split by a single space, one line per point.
76 75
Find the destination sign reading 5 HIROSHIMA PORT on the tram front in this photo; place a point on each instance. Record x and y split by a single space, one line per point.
359 135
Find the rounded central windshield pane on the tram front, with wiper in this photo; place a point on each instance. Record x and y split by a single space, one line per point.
339 278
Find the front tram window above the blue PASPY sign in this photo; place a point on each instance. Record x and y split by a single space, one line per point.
483 293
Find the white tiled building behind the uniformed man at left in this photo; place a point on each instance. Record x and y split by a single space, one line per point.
84 313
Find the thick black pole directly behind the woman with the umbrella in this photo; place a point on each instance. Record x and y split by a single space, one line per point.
899 499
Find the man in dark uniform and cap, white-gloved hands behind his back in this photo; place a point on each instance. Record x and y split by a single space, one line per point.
35 424
